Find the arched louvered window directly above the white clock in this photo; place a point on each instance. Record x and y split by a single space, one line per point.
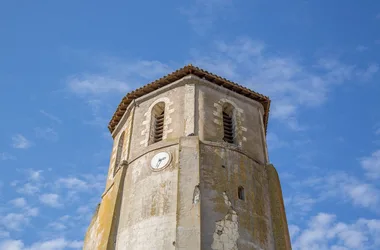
157 125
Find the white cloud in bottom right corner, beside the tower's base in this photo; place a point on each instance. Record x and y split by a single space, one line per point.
325 232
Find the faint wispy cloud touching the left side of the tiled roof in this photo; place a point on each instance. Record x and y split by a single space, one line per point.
115 77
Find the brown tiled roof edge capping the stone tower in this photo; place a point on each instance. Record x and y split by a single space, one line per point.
180 73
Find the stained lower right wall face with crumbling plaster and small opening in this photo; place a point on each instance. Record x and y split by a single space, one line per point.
229 222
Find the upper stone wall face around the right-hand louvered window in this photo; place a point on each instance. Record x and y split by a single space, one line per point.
248 127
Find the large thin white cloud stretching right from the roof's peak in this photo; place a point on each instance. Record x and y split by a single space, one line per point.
290 82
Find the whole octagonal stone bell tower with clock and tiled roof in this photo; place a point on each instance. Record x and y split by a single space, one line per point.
189 169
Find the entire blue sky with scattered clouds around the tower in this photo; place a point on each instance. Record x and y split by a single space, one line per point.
65 65
